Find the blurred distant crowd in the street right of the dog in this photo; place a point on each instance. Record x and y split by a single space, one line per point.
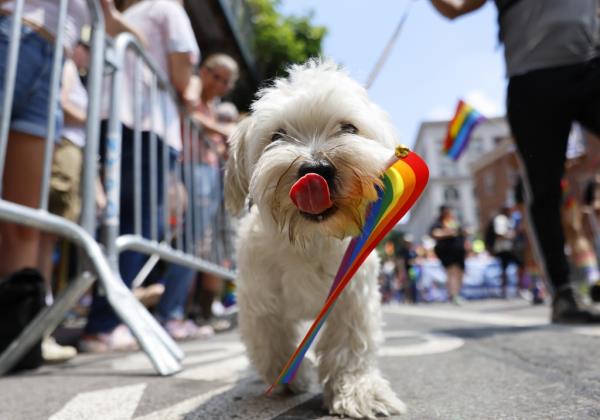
498 259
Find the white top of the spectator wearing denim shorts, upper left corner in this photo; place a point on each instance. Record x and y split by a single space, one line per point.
44 14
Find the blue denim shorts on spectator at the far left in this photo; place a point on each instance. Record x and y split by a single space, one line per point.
31 98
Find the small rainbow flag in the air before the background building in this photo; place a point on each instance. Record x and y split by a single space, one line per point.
460 128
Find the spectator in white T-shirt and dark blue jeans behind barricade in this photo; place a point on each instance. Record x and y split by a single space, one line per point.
170 42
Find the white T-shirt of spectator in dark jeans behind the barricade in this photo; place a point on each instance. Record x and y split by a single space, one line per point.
167 29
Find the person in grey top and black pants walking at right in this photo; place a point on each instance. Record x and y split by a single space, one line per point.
552 55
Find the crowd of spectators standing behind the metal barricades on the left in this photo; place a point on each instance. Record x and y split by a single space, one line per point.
183 301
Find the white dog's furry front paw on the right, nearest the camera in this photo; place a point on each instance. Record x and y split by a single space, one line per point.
362 397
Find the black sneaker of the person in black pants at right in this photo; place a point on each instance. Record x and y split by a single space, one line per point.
567 309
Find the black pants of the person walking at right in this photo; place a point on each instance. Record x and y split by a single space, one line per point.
542 105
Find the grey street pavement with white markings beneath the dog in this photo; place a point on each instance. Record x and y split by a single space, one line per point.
490 359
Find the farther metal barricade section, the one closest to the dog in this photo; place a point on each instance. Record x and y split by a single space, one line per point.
183 252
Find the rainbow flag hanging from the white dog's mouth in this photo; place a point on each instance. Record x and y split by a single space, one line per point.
403 182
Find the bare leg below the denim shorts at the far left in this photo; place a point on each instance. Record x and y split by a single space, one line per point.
19 245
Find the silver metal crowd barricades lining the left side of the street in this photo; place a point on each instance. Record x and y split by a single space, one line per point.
164 354
